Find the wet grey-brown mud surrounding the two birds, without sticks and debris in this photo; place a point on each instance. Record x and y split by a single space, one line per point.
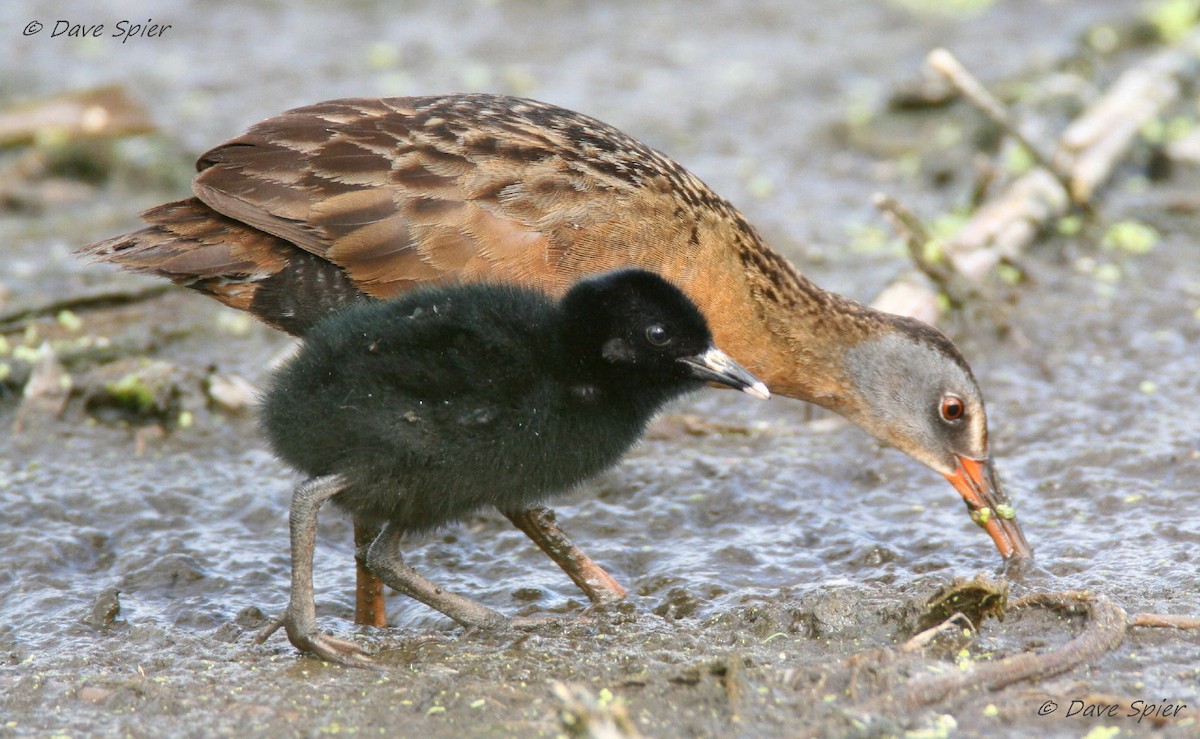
760 554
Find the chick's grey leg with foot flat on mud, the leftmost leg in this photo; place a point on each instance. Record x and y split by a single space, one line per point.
301 620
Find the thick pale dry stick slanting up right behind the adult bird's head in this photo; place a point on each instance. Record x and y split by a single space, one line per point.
1089 151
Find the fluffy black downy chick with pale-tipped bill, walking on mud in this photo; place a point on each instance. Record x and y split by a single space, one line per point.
421 411
